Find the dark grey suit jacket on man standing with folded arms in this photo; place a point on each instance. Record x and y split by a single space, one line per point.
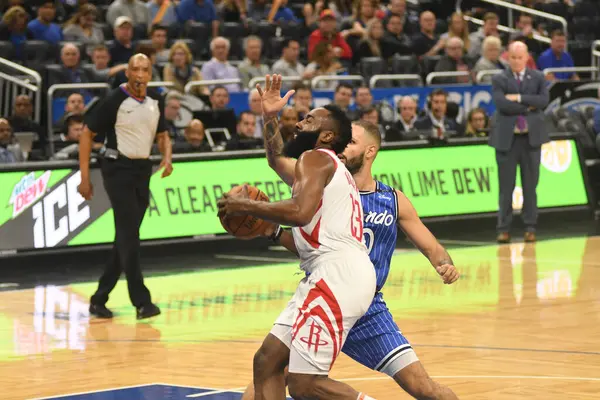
534 98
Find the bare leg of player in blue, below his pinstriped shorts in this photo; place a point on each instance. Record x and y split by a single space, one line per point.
416 381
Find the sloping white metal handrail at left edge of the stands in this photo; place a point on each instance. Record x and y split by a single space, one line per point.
16 86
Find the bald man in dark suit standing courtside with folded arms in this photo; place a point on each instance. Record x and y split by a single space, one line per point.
520 95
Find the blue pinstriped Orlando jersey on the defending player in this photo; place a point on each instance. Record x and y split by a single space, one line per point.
380 215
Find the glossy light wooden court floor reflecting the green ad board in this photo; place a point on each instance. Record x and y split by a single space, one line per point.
522 323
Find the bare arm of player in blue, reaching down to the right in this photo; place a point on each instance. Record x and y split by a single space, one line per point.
423 239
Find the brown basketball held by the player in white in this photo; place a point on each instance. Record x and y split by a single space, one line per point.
232 216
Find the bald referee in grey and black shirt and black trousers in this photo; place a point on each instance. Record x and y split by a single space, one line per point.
127 121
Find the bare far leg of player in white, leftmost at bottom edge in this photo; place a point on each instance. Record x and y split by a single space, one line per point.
269 367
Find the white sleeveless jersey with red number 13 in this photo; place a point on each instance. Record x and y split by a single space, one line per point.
337 226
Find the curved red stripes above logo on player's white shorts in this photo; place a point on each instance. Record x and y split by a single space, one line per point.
322 290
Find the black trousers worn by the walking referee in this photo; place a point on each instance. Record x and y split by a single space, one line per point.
127 183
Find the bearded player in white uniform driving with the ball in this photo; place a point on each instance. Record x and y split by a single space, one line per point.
326 215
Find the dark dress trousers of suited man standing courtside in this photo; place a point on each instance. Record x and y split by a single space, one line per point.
528 158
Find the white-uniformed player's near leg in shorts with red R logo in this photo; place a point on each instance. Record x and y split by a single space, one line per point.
336 296
